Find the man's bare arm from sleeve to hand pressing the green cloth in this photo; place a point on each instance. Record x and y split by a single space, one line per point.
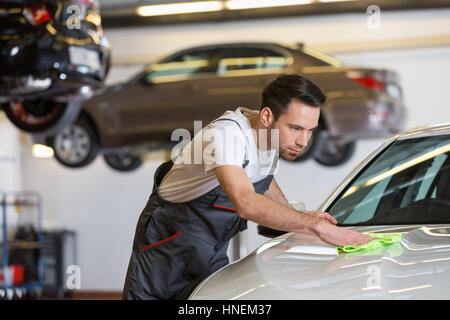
262 210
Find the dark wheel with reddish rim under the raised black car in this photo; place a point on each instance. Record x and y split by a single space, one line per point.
42 116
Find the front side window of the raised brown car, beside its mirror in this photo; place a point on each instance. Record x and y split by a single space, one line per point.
184 66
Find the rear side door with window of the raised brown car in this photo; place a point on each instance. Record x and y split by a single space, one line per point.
243 72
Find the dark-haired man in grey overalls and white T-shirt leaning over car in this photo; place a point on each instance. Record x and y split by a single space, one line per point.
196 207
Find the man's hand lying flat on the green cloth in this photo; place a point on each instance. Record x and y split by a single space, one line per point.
340 236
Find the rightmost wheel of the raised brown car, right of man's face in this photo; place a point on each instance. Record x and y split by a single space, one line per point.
333 154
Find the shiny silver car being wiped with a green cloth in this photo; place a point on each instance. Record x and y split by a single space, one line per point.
401 187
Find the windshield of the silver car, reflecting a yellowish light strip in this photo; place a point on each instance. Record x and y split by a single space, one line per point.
407 183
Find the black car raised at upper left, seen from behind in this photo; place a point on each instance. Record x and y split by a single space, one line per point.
53 55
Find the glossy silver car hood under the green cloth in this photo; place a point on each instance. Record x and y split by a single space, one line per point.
300 266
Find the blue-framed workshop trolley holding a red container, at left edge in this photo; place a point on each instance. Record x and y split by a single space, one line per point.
21 268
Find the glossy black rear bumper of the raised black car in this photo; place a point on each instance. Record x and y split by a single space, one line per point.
33 72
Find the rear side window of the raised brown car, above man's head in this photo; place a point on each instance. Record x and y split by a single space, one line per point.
255 59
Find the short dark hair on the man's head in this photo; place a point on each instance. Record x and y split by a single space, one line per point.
280 92
